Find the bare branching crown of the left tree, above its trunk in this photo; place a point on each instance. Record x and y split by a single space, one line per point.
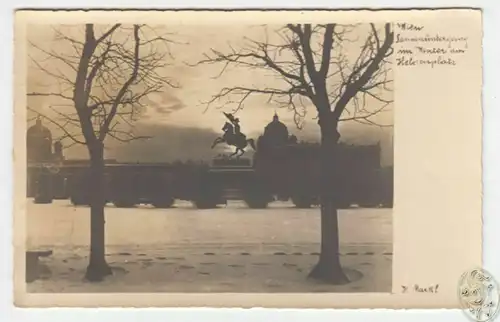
111 79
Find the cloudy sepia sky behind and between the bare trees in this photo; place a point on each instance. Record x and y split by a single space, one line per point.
178 119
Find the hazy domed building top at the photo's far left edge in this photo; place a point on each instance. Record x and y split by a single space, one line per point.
39 143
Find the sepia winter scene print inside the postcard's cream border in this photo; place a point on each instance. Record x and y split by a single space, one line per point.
246 158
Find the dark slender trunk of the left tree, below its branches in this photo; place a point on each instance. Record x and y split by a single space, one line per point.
97 268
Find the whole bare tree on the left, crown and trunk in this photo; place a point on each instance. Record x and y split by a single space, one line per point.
102 81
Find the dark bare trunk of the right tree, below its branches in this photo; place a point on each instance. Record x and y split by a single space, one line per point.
328 268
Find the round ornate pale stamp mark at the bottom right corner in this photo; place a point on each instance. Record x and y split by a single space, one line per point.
479 295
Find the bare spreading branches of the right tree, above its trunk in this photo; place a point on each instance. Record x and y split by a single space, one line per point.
318 70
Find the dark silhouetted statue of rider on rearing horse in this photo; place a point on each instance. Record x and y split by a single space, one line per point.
233 136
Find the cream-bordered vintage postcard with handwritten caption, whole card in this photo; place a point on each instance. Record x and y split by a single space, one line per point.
302 159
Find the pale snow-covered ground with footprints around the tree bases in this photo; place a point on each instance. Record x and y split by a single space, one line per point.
229 249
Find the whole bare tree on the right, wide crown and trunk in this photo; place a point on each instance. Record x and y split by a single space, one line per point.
337 69
